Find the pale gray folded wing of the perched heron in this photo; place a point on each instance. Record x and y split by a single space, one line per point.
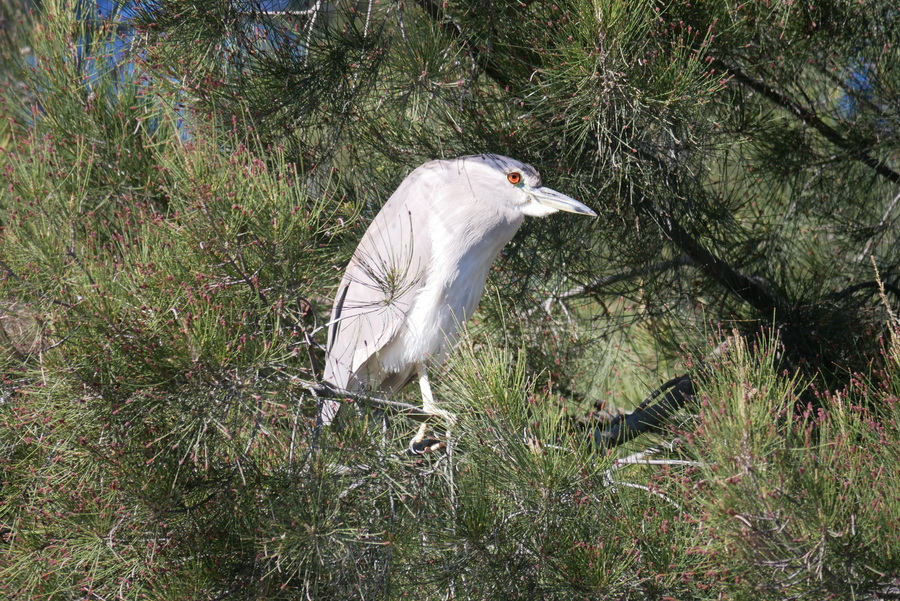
379 286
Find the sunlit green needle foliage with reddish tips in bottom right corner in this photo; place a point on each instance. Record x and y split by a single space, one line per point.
797 500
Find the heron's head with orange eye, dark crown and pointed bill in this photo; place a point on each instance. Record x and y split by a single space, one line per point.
518 186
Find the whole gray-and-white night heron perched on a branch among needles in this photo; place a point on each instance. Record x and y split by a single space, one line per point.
420 270
